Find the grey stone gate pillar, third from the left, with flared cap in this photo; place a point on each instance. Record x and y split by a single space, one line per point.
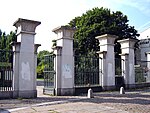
108 61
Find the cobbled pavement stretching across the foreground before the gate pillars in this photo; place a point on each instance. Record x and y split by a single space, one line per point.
104 102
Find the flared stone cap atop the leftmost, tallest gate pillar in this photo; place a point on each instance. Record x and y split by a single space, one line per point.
25 25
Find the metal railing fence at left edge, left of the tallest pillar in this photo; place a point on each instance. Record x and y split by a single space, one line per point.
6 70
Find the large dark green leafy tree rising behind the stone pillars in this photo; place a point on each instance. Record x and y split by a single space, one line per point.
99 21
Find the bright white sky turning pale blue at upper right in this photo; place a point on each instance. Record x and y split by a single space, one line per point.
54 13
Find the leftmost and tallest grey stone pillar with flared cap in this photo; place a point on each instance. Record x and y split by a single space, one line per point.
25 69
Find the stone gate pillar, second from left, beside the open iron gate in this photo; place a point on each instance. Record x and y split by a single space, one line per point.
64 61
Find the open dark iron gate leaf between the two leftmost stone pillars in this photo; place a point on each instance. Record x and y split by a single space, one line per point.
49 74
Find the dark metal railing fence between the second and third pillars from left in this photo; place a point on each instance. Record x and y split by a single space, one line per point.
87 71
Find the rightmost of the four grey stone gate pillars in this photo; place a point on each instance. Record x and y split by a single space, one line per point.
127 47
